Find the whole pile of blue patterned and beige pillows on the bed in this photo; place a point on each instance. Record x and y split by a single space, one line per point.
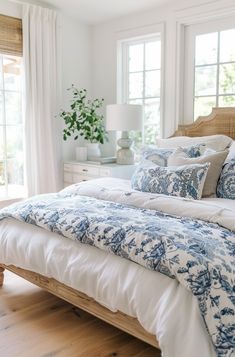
188 167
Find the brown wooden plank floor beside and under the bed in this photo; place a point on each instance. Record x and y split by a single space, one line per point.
35 323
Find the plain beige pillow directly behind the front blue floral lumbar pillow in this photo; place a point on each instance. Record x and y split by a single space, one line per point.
216 160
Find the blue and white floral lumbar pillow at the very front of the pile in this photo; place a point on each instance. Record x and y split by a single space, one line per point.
184 181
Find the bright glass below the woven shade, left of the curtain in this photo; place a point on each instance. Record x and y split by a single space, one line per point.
11 128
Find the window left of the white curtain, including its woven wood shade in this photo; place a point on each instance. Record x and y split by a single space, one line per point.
11 124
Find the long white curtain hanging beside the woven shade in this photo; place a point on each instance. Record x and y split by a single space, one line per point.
41 94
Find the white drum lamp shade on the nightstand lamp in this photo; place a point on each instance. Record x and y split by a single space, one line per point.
124 117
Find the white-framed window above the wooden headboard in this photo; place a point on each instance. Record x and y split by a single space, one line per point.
213 77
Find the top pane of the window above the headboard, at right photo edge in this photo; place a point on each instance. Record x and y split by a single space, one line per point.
227 46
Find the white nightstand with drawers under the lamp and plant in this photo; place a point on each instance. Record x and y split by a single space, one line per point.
83 171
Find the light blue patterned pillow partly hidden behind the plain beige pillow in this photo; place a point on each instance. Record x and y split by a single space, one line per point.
159 156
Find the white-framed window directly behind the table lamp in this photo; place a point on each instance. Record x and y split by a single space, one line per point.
141 84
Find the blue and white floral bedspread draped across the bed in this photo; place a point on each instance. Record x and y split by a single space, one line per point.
200 255
